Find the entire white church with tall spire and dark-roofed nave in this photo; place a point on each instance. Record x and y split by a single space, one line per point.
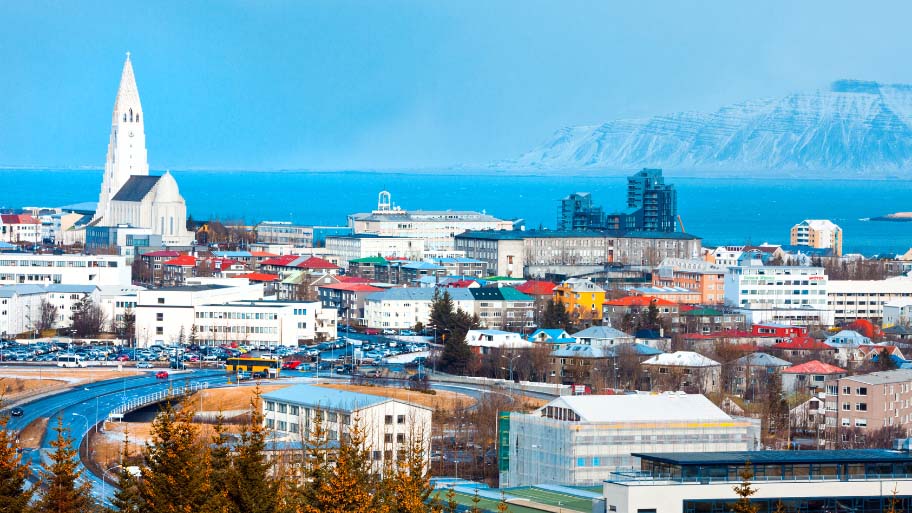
130 196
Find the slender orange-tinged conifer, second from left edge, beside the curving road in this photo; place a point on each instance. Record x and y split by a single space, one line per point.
62 494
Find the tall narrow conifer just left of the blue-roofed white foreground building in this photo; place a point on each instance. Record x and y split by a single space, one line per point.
253 490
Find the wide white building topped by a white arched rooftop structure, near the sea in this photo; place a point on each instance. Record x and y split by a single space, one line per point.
436 227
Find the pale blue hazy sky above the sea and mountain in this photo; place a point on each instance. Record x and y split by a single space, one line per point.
419 84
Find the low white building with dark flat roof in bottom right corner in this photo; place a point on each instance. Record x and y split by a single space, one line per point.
859 480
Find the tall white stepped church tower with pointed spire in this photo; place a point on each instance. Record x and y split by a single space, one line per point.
127 145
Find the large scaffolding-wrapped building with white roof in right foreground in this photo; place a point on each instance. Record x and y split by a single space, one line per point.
580 440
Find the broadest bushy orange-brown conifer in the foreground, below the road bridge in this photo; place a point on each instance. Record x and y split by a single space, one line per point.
174 478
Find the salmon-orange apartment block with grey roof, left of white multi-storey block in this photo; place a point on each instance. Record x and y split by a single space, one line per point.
695 274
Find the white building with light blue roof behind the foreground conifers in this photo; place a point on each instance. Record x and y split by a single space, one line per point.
390 424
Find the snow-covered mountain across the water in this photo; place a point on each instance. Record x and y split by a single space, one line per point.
855 128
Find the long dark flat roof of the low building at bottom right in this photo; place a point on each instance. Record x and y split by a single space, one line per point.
777 457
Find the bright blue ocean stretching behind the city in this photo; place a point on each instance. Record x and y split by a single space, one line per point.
721 210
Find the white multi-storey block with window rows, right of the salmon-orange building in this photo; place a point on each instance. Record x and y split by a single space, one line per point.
779 294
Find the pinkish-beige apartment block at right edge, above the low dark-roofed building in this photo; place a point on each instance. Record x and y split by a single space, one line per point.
868 402
